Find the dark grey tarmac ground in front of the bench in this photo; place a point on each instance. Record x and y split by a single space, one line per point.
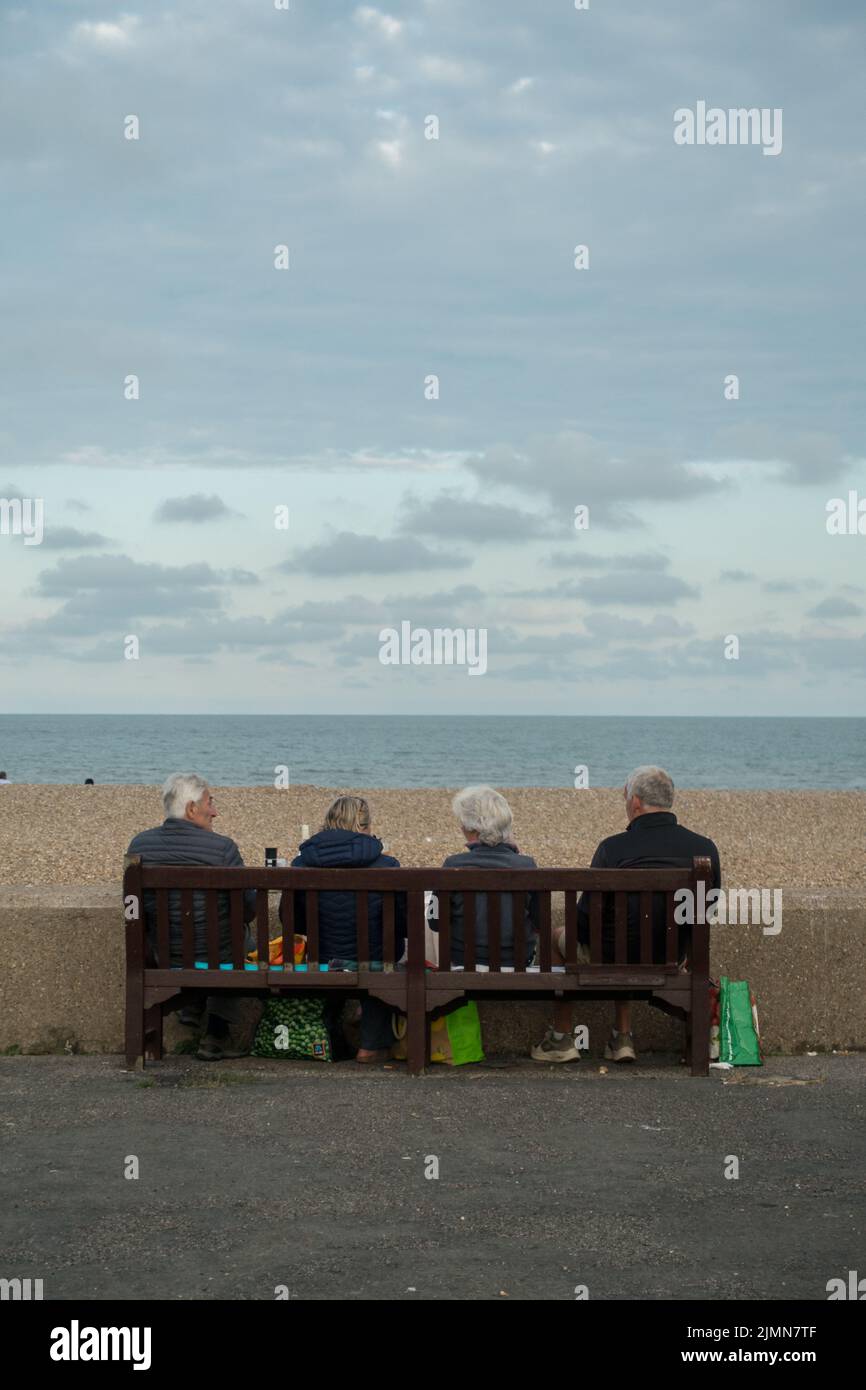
320 1181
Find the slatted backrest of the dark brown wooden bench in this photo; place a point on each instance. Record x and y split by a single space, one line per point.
608 893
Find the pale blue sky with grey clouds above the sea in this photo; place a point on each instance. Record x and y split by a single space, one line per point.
443 502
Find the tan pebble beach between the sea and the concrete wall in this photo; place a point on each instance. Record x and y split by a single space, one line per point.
52 835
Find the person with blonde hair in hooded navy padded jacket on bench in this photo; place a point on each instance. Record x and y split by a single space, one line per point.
345 842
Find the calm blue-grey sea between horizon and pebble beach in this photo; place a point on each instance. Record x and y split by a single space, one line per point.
414 751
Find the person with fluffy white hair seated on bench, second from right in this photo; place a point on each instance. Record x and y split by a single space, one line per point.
486 822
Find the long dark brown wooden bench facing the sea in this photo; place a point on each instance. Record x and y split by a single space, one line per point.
411 986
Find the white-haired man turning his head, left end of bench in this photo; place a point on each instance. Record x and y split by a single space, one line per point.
188 837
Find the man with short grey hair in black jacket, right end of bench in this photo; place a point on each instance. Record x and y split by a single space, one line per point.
653 840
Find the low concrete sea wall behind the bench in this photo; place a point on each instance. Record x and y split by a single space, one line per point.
62 972
